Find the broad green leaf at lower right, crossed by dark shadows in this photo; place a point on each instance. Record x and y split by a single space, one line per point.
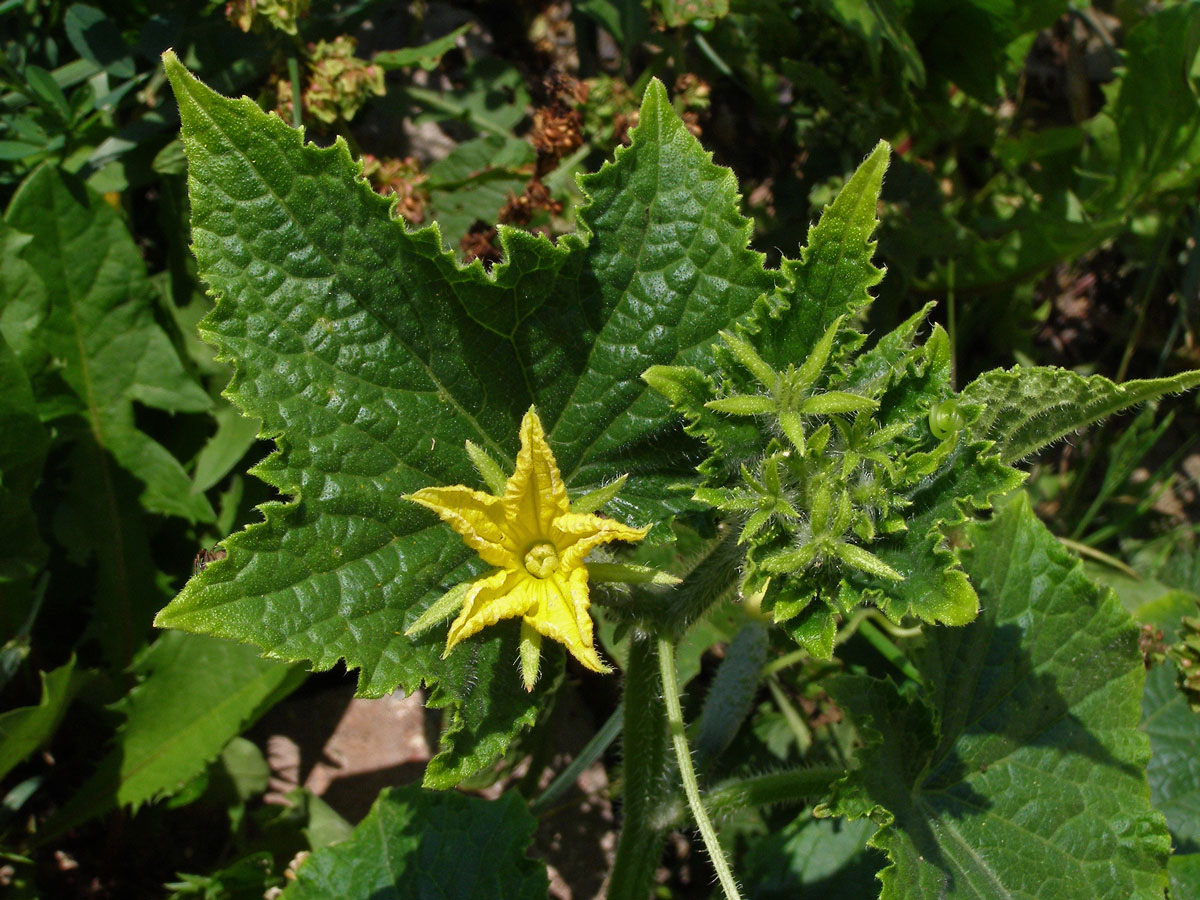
1019 771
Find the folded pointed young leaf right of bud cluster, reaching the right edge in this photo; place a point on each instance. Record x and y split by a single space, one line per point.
1024 410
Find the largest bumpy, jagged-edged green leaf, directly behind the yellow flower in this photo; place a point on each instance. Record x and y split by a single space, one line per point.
371 357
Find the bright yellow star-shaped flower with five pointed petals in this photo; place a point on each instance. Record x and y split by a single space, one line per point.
538 548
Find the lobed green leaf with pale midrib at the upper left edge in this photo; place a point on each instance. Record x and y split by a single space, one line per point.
77 309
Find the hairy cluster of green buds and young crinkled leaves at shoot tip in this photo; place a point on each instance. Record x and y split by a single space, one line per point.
849 469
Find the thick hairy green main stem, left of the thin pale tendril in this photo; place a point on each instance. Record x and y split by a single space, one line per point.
644 743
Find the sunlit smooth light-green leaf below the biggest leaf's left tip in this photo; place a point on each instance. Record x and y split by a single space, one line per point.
196 694
